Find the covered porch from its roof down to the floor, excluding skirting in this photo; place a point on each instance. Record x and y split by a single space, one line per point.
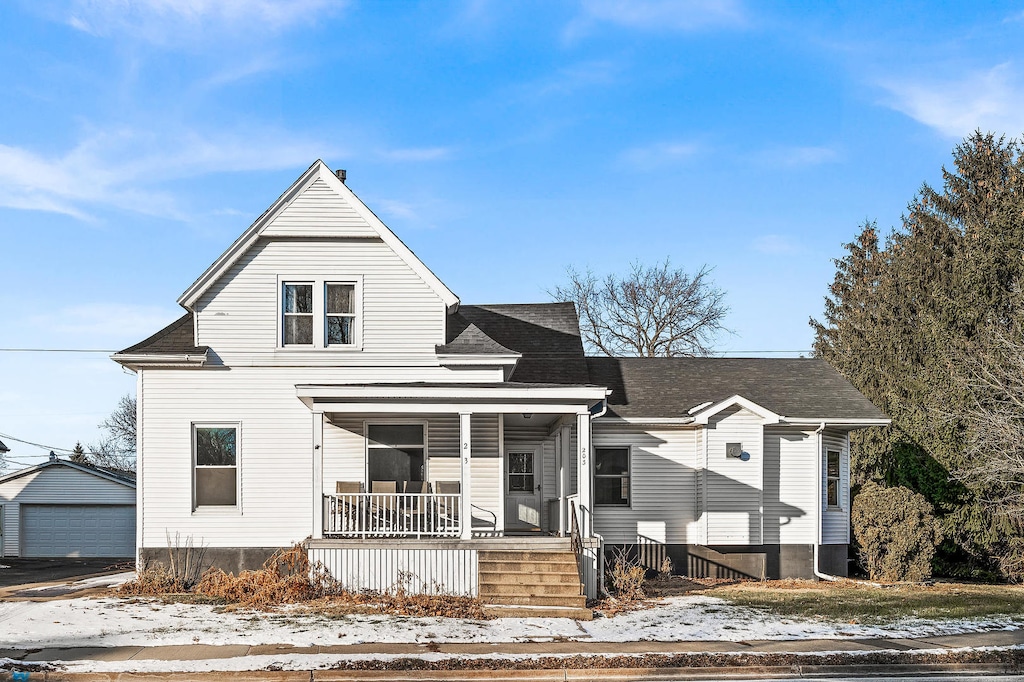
450 461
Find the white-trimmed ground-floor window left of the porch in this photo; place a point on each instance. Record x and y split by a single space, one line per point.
216 465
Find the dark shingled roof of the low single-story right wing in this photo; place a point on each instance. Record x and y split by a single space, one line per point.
672 387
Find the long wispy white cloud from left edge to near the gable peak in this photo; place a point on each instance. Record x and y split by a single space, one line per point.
119 169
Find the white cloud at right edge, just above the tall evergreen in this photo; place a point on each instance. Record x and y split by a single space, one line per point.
992 101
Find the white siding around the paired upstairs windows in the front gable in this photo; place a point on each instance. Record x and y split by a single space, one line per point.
403 318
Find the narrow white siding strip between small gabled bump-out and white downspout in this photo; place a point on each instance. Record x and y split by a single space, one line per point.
789 487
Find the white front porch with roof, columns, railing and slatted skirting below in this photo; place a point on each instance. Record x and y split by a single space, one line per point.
413 481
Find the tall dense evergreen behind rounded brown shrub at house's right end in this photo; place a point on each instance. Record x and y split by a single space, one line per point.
903 321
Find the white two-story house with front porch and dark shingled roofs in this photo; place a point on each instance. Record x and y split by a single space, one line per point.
324 386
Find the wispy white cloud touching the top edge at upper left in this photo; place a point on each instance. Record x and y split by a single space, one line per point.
180 22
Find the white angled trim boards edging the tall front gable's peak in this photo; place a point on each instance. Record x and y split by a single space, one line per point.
373 226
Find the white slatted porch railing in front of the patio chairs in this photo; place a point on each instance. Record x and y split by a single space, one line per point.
392 516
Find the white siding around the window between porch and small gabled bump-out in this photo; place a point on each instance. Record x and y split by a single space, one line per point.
663 473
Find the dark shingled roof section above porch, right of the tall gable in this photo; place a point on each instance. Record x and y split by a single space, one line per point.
547 335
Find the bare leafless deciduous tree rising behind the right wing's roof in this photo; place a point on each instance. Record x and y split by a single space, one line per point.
652 312
